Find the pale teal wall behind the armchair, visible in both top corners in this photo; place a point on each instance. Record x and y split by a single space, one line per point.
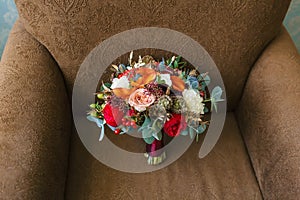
8 15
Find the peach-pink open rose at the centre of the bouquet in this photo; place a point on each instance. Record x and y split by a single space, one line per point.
141 99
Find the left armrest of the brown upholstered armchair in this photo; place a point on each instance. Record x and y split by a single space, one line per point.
34 121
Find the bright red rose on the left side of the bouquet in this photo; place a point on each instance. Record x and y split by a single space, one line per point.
112 115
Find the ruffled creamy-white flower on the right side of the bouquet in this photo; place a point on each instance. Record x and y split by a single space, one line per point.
193 101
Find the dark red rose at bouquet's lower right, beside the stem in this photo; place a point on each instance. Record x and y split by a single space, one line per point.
175 125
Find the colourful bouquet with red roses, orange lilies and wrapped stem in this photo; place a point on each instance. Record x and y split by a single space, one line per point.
154 98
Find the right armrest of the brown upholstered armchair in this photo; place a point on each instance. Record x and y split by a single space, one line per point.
270 119
